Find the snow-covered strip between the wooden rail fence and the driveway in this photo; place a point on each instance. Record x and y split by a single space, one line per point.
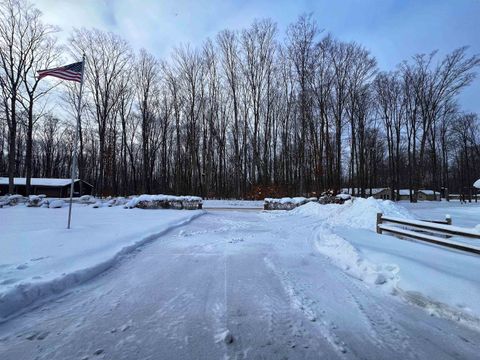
442 281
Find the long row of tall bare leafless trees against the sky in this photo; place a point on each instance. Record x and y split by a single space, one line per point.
300 112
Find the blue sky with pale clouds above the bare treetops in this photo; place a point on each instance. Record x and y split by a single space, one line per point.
393 30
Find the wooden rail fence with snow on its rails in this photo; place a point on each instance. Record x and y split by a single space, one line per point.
429 231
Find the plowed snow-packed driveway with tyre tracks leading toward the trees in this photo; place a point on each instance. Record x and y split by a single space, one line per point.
254 275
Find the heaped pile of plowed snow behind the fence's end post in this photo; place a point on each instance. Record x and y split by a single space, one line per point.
357 213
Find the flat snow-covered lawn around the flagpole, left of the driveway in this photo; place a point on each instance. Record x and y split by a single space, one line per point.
40 258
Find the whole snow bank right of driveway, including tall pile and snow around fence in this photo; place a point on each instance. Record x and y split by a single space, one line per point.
442 281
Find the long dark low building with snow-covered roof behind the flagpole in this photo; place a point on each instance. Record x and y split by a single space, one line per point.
47 186
